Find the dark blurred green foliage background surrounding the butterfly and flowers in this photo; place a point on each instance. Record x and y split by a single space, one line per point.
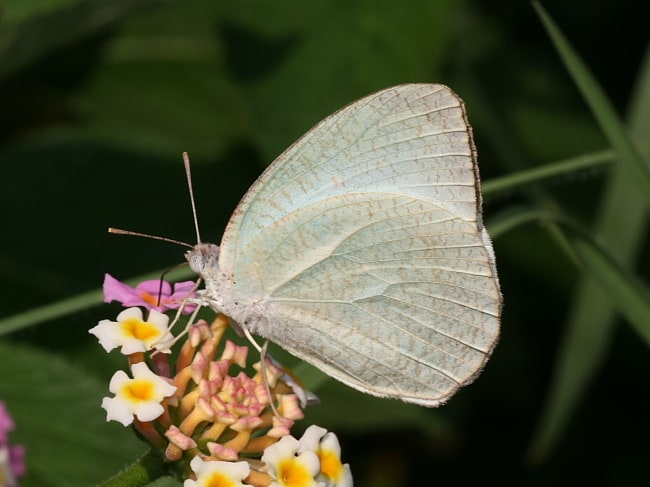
98 98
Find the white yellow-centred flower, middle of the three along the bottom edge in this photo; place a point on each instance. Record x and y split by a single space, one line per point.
289 469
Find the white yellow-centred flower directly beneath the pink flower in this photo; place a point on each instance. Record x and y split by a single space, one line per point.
133 333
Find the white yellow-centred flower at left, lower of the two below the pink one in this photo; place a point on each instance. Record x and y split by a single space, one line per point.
140 396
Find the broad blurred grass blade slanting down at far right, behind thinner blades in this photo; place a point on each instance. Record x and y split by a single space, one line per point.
620 225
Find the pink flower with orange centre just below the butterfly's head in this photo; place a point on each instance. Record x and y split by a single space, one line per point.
151 294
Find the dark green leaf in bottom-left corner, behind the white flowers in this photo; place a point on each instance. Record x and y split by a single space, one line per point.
56 409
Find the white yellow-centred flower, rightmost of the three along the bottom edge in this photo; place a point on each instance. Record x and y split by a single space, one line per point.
326 446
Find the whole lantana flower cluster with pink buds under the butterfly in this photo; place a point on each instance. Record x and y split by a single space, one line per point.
214 423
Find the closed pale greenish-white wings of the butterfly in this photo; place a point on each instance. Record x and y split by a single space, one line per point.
361 249
